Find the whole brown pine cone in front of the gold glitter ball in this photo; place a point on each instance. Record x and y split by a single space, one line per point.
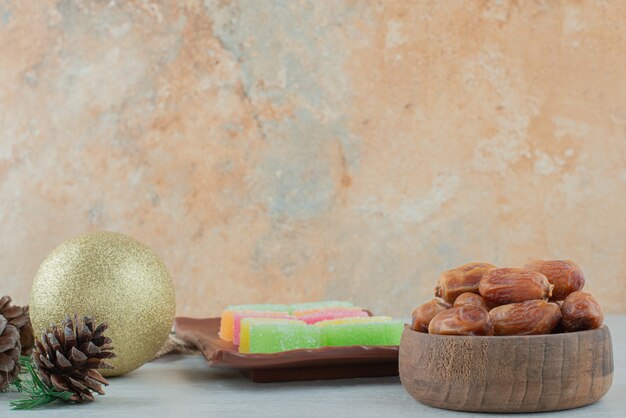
67 357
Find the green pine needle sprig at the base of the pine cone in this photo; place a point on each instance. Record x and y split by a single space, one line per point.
39 393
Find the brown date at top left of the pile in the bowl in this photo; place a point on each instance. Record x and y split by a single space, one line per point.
459 280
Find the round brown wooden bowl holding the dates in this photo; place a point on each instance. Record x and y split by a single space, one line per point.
507 374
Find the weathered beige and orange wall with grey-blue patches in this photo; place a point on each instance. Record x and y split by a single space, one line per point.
302 150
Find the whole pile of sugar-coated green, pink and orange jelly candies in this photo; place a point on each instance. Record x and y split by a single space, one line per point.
275 328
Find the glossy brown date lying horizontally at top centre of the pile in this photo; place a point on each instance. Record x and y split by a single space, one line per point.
511 285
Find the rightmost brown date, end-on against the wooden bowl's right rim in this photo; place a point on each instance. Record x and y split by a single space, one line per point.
581 311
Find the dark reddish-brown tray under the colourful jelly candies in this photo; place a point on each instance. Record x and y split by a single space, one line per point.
306 364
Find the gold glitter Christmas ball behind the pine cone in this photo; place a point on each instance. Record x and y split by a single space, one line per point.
116 279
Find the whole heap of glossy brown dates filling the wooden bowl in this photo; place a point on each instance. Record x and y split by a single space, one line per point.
480 299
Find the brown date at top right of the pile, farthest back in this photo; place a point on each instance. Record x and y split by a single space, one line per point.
565 275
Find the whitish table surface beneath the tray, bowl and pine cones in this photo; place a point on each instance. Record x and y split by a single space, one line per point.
184 386
